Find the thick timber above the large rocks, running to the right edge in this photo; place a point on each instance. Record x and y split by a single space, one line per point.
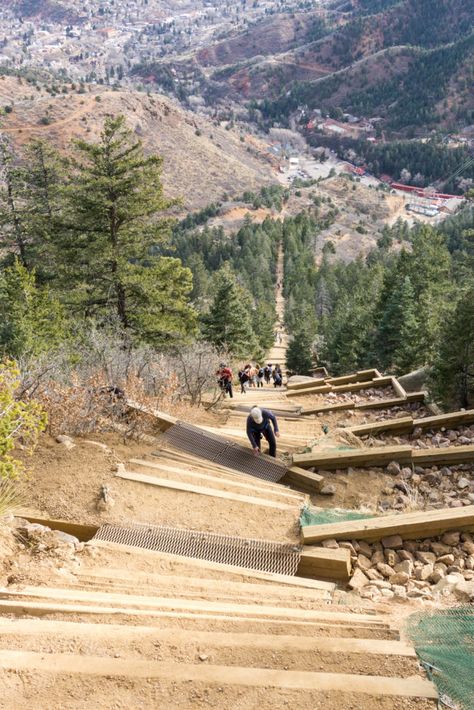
408 525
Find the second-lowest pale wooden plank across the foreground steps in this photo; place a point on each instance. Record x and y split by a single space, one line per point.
218 639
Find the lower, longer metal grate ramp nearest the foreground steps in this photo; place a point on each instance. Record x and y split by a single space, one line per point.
253 554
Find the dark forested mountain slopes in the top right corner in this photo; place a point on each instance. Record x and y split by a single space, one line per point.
409 62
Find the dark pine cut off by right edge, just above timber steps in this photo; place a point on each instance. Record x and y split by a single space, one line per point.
453 372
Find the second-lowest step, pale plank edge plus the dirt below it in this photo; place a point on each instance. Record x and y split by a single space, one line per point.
368 657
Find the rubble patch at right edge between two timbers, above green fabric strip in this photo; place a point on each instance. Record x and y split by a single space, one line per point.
429 488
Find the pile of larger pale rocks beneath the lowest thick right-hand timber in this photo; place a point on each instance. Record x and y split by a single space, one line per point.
412 569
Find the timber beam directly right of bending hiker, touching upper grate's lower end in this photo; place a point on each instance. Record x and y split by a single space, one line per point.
377 456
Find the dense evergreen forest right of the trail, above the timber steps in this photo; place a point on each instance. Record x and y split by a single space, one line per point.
399 309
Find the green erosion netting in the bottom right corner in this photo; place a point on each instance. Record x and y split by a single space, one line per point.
444 642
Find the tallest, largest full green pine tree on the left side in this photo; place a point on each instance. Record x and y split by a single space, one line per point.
114 201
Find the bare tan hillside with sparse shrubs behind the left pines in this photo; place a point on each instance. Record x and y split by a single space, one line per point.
202 160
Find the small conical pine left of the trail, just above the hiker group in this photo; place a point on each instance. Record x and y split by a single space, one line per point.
228 323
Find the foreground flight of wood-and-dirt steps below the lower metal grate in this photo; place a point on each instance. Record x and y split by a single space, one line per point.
134 628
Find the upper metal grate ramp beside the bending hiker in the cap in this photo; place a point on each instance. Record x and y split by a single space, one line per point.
215 448
